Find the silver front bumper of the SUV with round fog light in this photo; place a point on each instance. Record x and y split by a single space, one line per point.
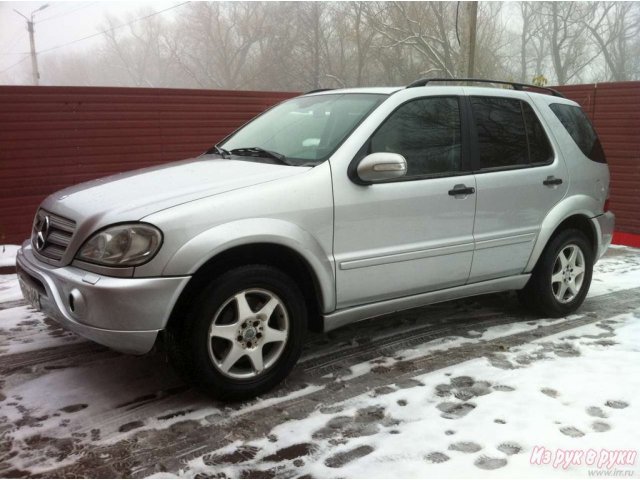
124 314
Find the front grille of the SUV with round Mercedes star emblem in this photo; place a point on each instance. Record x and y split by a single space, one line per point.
51 234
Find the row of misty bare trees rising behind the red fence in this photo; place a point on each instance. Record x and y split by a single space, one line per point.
304 45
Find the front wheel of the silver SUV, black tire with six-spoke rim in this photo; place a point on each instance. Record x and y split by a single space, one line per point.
257 319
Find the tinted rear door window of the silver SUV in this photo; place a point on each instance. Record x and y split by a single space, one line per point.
509 134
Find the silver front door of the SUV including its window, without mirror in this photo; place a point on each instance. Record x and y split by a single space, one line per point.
415 234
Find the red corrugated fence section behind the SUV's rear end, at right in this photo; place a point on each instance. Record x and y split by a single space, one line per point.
615 110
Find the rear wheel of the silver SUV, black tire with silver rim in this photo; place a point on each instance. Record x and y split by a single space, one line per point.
565 292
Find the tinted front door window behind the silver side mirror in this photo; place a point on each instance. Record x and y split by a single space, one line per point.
426 132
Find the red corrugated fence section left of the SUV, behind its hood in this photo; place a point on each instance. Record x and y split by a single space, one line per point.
53 137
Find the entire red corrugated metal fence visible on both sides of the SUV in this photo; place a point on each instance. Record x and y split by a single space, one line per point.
53 137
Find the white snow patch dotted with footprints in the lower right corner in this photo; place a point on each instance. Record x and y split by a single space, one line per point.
578 391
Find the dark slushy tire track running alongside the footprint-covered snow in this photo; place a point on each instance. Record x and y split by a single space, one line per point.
150 451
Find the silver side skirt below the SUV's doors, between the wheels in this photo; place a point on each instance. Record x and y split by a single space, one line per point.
349 315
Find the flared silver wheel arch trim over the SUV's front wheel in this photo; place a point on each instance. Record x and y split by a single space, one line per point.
200 249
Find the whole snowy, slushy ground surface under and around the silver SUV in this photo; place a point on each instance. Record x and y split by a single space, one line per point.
471 388
